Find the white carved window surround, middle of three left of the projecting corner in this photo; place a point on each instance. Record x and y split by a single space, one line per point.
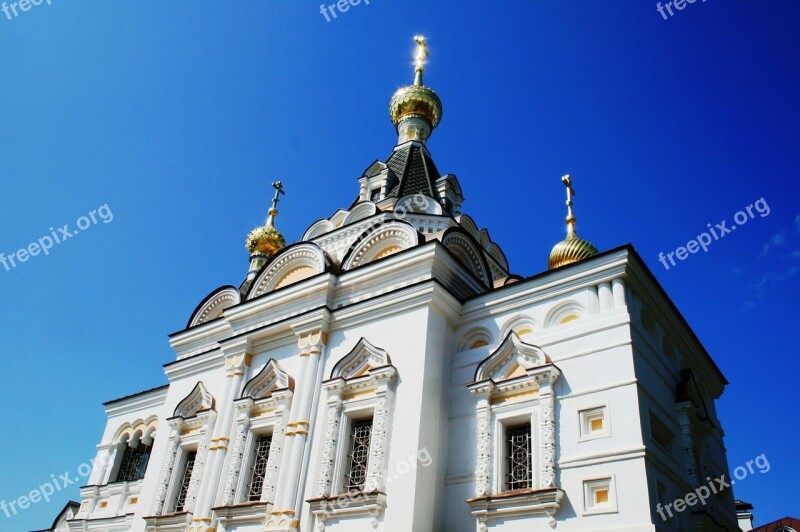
263 409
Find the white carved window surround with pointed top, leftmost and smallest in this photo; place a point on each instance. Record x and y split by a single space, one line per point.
191 429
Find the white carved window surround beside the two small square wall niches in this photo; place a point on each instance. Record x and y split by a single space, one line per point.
513 385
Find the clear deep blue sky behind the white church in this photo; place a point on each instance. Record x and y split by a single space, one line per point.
177 115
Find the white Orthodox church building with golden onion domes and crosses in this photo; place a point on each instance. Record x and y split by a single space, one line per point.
388 372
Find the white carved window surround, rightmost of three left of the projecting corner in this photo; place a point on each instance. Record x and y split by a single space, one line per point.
362 384
